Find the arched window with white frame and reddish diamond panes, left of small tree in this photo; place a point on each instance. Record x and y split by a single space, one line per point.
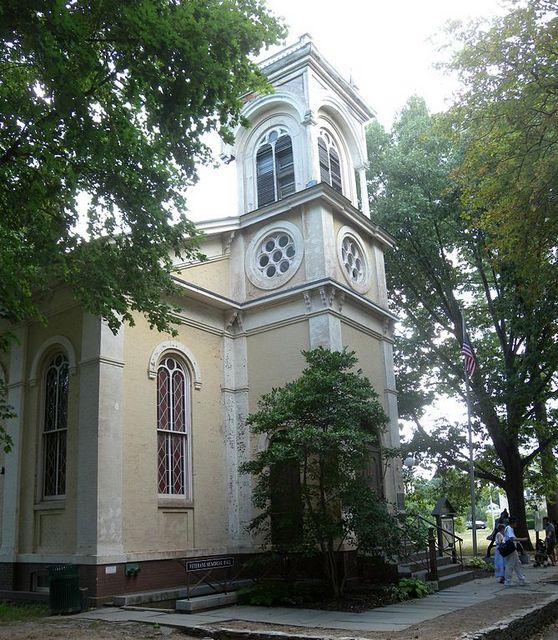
173 427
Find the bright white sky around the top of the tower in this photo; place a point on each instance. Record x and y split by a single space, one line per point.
387 47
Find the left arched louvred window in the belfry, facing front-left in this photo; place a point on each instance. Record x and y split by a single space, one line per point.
274 166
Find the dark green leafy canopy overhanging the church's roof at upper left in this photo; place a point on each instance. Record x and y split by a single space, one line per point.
112 98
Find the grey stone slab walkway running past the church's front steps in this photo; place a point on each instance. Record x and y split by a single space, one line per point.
395 617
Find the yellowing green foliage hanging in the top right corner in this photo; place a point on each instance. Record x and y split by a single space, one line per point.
507 108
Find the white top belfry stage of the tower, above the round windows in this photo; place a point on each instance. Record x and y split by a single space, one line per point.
310 130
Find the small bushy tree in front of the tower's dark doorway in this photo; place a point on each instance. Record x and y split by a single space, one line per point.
311 490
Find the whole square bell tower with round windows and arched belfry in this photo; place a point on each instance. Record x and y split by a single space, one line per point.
307 264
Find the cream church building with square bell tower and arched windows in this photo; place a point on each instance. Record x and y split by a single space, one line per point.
126 447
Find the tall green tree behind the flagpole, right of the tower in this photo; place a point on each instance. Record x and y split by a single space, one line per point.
444 262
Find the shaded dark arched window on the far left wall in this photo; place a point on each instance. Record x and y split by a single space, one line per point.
55 426
